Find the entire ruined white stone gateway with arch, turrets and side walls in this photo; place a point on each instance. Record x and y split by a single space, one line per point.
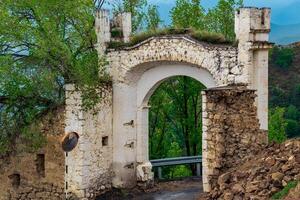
113 144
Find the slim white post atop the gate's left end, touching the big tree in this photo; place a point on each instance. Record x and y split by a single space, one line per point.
102 26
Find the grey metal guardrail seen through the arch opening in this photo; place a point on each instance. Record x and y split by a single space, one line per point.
178 161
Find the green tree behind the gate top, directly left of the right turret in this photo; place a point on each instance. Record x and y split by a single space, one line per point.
220 19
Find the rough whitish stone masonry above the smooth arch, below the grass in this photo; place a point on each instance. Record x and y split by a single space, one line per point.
220 60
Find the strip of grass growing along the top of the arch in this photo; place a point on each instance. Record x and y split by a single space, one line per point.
204 36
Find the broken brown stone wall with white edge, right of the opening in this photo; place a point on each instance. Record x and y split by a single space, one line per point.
230 130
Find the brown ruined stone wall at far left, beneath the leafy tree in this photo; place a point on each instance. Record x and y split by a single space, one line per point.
36 175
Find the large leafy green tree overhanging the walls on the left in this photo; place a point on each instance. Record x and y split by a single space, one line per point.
43 45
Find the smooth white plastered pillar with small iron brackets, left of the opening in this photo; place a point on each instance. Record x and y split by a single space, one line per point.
124 141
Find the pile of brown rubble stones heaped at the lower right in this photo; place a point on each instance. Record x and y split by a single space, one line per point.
262 175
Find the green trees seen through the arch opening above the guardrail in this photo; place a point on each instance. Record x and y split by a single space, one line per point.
175 120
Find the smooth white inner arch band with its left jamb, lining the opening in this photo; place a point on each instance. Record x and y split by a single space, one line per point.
148 83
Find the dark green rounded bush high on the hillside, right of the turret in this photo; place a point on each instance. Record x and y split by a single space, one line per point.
282 57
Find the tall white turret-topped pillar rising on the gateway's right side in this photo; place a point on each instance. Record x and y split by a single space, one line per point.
252 28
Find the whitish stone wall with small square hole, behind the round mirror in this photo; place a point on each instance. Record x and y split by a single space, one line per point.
89 163
